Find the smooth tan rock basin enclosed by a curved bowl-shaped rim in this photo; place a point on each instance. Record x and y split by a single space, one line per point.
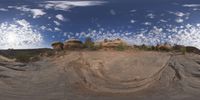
118 73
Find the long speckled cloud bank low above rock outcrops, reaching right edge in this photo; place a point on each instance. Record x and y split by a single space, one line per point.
182 35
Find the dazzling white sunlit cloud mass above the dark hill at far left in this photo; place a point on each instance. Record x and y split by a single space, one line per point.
19 35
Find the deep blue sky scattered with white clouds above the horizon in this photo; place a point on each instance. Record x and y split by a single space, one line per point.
28 24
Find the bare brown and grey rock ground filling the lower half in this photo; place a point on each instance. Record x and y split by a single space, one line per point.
103 75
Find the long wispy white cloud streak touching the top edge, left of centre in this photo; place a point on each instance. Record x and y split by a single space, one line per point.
66 5
